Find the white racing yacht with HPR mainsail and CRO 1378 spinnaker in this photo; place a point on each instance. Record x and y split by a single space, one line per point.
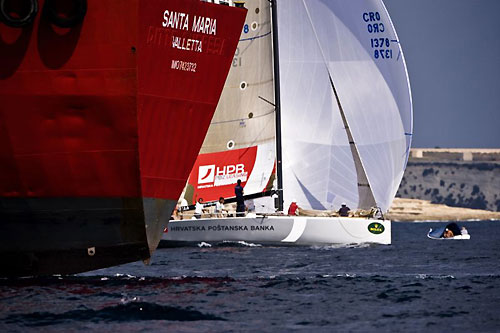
321 115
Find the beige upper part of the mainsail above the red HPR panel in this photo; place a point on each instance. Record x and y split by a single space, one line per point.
245 113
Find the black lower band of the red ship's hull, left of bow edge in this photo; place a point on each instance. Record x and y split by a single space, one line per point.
44 236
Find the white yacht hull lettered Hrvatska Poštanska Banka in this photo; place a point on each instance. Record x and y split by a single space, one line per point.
279 230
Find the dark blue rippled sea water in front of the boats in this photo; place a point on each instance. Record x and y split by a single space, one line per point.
415 284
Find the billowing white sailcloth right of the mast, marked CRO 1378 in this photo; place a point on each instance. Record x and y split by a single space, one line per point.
319 39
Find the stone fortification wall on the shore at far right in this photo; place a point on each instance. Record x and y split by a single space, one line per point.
467 178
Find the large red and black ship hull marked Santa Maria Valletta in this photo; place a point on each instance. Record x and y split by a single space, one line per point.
93 117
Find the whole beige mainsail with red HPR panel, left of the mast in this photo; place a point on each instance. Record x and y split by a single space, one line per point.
240 142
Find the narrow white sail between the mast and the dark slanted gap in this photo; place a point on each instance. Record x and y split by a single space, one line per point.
318 170
